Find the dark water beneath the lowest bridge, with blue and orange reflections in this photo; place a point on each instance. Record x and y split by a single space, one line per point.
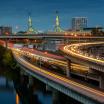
17 89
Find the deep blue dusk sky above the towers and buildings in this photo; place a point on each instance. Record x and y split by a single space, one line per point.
15 12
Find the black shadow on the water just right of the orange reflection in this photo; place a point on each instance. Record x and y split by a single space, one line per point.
24 91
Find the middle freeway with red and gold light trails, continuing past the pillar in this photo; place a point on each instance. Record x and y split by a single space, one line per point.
50 58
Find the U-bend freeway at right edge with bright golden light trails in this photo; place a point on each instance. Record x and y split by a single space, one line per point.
73 50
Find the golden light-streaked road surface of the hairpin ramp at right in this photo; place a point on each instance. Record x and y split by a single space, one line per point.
73 50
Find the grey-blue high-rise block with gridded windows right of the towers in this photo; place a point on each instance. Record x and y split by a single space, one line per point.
78 23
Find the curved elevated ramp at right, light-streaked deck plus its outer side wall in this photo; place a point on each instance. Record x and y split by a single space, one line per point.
73 52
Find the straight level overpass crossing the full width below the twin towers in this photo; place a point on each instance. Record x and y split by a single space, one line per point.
60 36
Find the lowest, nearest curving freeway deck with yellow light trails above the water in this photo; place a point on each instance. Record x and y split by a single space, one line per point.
82 89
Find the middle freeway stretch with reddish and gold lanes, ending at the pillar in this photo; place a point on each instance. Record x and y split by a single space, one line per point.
53 59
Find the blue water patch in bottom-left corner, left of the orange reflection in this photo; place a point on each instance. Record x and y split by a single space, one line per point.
7 95
